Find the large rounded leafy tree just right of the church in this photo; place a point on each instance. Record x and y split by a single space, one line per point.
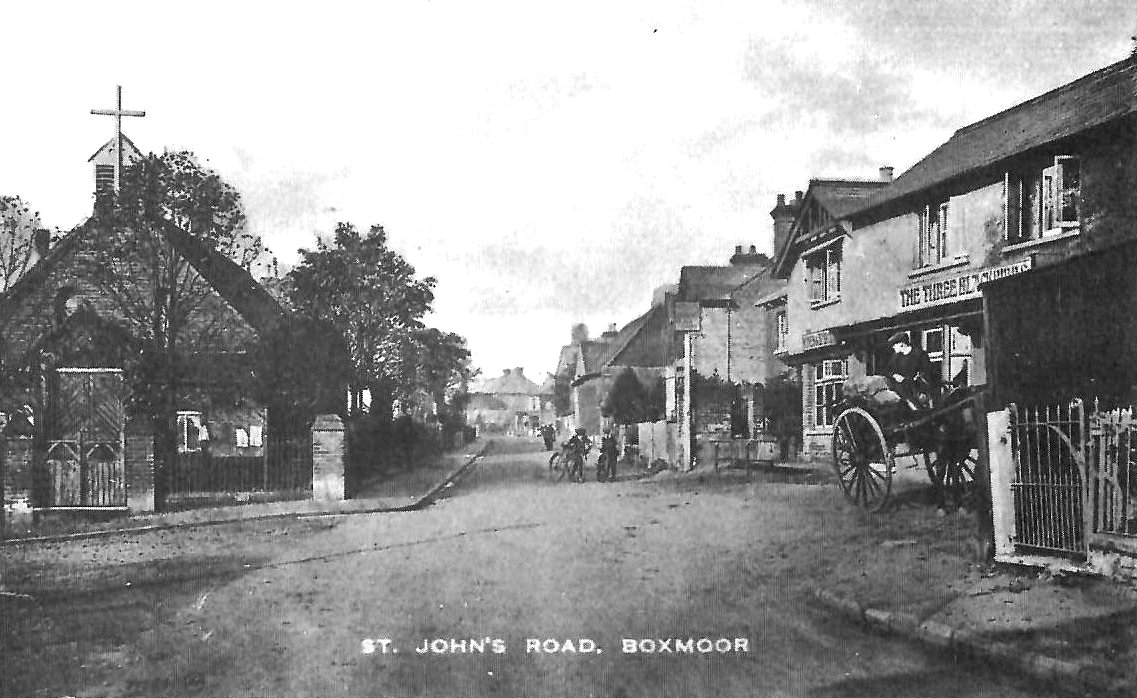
372 296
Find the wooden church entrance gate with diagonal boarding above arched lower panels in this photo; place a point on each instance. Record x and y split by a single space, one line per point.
86 464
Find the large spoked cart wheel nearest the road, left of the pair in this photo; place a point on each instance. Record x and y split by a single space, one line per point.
864 460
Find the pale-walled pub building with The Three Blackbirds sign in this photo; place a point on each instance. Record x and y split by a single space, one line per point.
1047 180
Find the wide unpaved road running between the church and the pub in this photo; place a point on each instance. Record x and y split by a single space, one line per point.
305 609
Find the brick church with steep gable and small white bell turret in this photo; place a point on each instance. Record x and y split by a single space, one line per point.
79 436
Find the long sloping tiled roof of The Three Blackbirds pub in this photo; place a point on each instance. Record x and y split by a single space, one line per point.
1092 101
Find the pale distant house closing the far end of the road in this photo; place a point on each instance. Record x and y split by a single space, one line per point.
510 403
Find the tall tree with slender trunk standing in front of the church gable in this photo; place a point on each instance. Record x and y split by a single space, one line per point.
154 287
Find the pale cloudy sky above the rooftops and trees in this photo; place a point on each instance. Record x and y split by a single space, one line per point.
549 163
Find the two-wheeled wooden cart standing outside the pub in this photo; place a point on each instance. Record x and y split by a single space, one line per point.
869 438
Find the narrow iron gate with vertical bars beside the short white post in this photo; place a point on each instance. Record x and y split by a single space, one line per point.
1049 484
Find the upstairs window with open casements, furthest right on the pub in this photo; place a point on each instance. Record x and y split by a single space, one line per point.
1045 202
